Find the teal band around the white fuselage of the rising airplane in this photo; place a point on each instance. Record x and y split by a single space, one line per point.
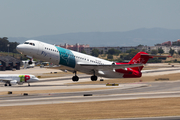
66 57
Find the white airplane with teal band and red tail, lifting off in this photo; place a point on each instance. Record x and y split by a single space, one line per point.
75 61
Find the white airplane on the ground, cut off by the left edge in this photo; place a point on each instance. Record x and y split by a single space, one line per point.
13 79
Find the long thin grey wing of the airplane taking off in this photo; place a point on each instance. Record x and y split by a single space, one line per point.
95 66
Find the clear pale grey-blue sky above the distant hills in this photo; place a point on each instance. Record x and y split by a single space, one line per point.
32 18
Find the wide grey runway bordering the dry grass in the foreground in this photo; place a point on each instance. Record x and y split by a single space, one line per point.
122 92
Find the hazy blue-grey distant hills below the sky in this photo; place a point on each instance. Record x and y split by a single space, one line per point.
144 36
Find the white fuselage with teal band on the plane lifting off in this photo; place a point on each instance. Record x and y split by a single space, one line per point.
65 57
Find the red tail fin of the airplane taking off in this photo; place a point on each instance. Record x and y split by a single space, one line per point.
140 58
